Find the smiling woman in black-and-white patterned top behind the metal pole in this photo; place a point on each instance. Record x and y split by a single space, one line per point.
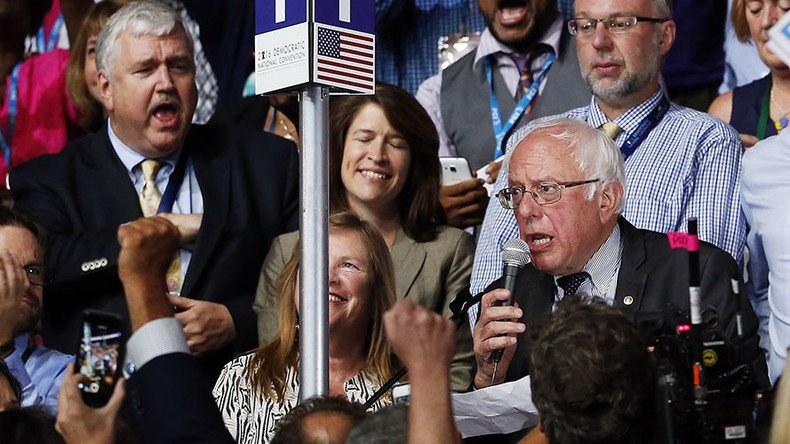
255 390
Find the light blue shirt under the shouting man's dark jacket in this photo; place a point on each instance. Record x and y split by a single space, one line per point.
189 199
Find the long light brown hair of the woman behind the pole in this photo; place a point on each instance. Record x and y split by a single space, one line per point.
268 366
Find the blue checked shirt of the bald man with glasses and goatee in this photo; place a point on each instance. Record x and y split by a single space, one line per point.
688 166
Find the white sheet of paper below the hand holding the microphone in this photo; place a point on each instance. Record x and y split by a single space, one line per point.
503 408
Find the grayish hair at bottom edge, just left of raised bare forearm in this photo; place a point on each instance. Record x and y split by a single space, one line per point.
389 425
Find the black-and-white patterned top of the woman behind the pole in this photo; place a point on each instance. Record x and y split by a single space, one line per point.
251 417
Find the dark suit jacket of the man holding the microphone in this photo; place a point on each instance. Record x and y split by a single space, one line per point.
651 275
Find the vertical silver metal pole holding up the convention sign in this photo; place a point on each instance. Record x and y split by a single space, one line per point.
313 270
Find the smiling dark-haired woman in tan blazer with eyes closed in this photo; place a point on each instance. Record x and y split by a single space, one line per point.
384 167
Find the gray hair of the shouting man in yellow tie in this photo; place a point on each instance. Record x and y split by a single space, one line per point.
140 18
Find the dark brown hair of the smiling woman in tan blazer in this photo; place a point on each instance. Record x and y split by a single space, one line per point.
420 210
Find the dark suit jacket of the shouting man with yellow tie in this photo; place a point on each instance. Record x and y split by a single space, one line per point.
248 180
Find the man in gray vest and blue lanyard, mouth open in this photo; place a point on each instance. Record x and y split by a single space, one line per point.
524 67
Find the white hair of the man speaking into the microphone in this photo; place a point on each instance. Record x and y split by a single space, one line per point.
594 152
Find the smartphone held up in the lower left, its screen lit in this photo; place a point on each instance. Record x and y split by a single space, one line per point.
100 356
